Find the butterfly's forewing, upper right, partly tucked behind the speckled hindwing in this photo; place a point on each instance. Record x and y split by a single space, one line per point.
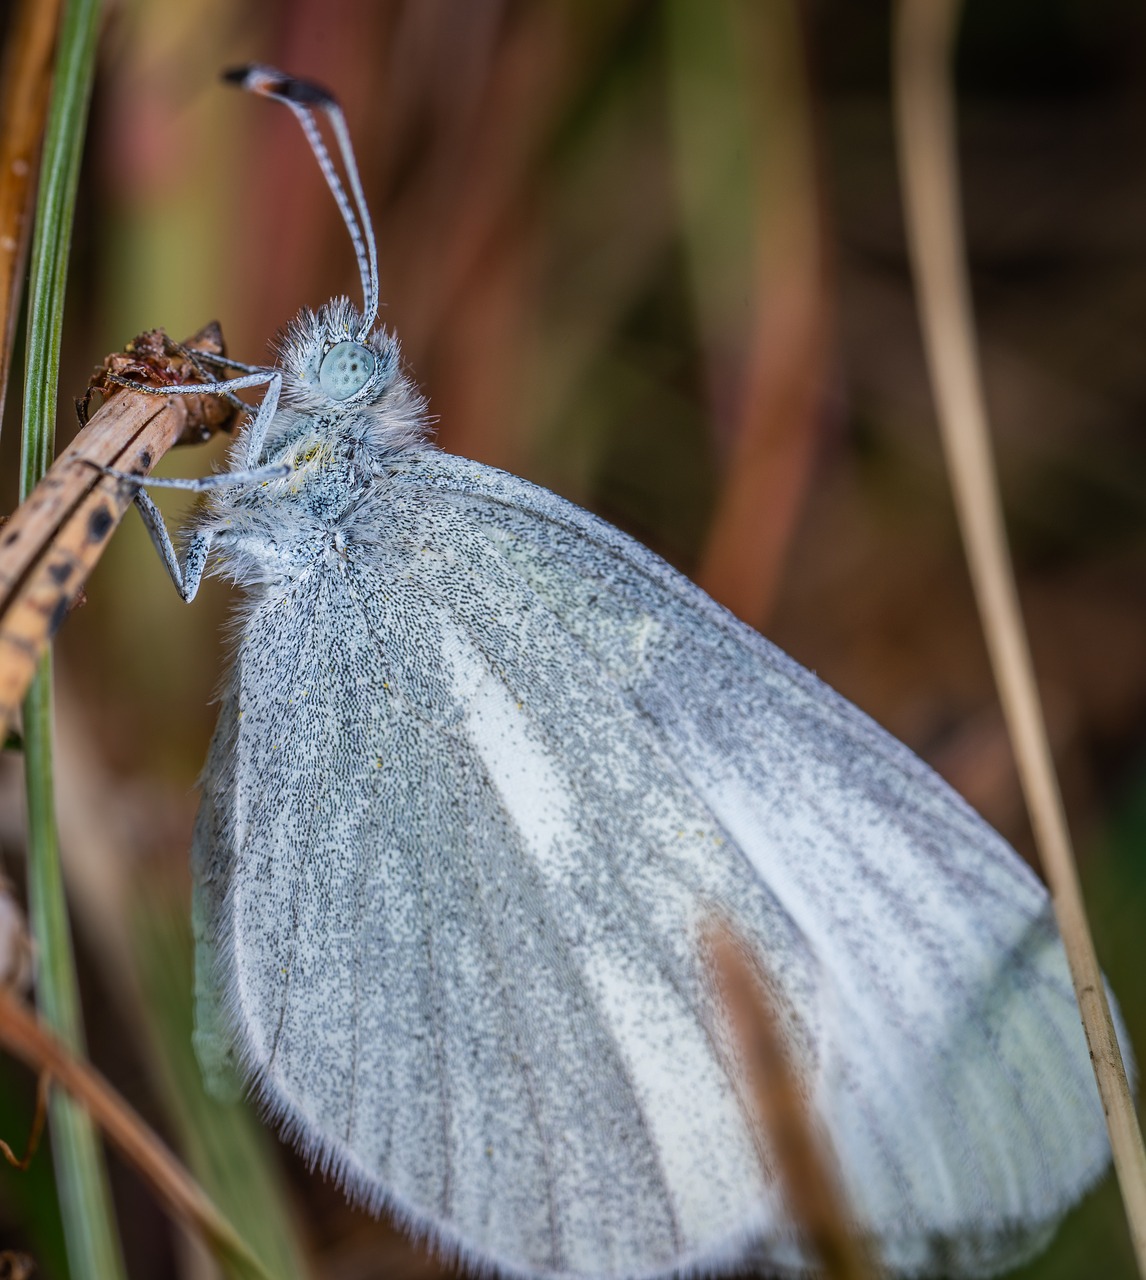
952 1068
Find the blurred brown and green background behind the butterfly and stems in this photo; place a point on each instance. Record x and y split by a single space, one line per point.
650 255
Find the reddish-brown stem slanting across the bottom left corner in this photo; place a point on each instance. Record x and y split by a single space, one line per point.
22 1036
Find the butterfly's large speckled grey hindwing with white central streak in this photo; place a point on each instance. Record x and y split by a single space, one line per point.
458 936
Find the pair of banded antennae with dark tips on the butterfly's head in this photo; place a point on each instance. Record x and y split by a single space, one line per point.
305 99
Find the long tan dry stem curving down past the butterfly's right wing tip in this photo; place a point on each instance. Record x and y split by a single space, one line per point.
926 136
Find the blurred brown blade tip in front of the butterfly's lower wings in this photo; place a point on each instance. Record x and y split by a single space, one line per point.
795 1146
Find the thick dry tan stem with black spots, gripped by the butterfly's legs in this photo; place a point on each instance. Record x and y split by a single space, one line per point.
53 541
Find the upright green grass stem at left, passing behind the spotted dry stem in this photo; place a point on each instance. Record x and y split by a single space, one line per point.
94 1250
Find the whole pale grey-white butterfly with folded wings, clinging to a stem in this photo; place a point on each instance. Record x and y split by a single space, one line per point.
483 772
